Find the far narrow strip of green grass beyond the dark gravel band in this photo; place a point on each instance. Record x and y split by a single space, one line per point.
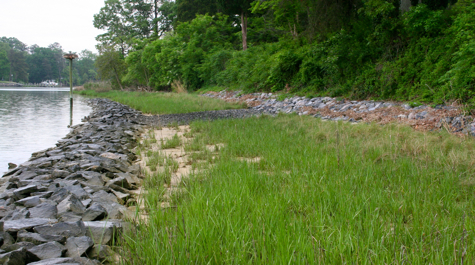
163 103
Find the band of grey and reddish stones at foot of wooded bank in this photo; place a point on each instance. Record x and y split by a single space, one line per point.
423 117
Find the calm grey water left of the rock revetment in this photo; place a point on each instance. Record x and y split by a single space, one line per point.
33 119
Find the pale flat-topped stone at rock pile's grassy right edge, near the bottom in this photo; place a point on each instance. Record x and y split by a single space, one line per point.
102 232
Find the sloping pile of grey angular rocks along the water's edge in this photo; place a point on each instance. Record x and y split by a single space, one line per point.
65 205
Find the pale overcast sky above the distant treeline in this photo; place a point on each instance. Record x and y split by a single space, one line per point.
43 22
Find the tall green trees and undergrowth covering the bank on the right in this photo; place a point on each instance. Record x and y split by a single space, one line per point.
391 49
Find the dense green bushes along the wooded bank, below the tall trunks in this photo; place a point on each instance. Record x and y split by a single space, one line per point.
424 54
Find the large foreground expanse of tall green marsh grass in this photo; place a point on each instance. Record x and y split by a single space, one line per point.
298 190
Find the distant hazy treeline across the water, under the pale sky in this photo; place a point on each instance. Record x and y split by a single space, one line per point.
33 64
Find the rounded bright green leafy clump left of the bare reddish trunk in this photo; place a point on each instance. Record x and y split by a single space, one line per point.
187 54
